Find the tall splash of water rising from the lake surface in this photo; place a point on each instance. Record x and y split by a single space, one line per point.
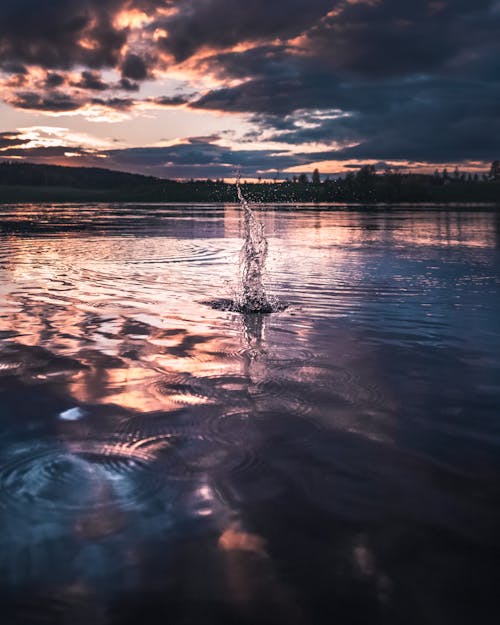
252 297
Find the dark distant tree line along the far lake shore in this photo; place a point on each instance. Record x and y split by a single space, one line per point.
20 181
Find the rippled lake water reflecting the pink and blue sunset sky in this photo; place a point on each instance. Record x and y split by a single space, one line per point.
165 462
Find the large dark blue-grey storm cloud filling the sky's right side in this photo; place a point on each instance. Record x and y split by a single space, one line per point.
417 81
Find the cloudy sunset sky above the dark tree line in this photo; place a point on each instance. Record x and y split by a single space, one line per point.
271 88
